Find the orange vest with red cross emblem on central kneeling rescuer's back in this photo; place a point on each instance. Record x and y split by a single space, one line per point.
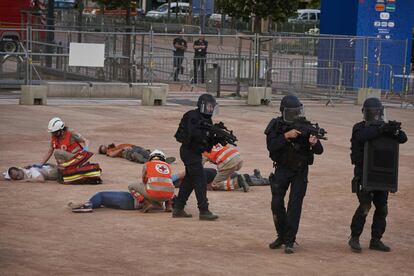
159 184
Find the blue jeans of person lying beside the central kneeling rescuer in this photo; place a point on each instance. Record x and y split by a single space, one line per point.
113 199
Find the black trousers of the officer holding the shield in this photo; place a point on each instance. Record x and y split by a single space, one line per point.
380 199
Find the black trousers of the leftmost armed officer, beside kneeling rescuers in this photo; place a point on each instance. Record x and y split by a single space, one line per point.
195 179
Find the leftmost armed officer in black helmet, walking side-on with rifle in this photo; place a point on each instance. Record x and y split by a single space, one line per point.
194 141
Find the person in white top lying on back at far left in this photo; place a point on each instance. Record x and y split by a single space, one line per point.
32 173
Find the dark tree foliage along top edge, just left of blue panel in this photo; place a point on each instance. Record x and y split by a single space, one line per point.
277 10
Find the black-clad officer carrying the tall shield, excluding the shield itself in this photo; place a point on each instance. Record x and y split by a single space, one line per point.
370 128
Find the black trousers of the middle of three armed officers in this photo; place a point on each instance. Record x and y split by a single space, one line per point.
287 221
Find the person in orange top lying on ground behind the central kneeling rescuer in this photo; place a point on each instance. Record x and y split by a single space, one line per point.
130 152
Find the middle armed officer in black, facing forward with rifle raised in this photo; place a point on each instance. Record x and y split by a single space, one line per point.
291 153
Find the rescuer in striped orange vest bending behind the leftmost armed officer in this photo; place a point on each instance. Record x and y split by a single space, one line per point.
228 161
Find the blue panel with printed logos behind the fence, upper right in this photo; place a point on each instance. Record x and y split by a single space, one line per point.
385 50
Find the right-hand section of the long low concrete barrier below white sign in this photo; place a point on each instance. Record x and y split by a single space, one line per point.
110 90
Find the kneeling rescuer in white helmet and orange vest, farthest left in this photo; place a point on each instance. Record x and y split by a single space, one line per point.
65 143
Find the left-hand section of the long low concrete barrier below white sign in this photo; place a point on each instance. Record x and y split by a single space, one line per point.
68 89
